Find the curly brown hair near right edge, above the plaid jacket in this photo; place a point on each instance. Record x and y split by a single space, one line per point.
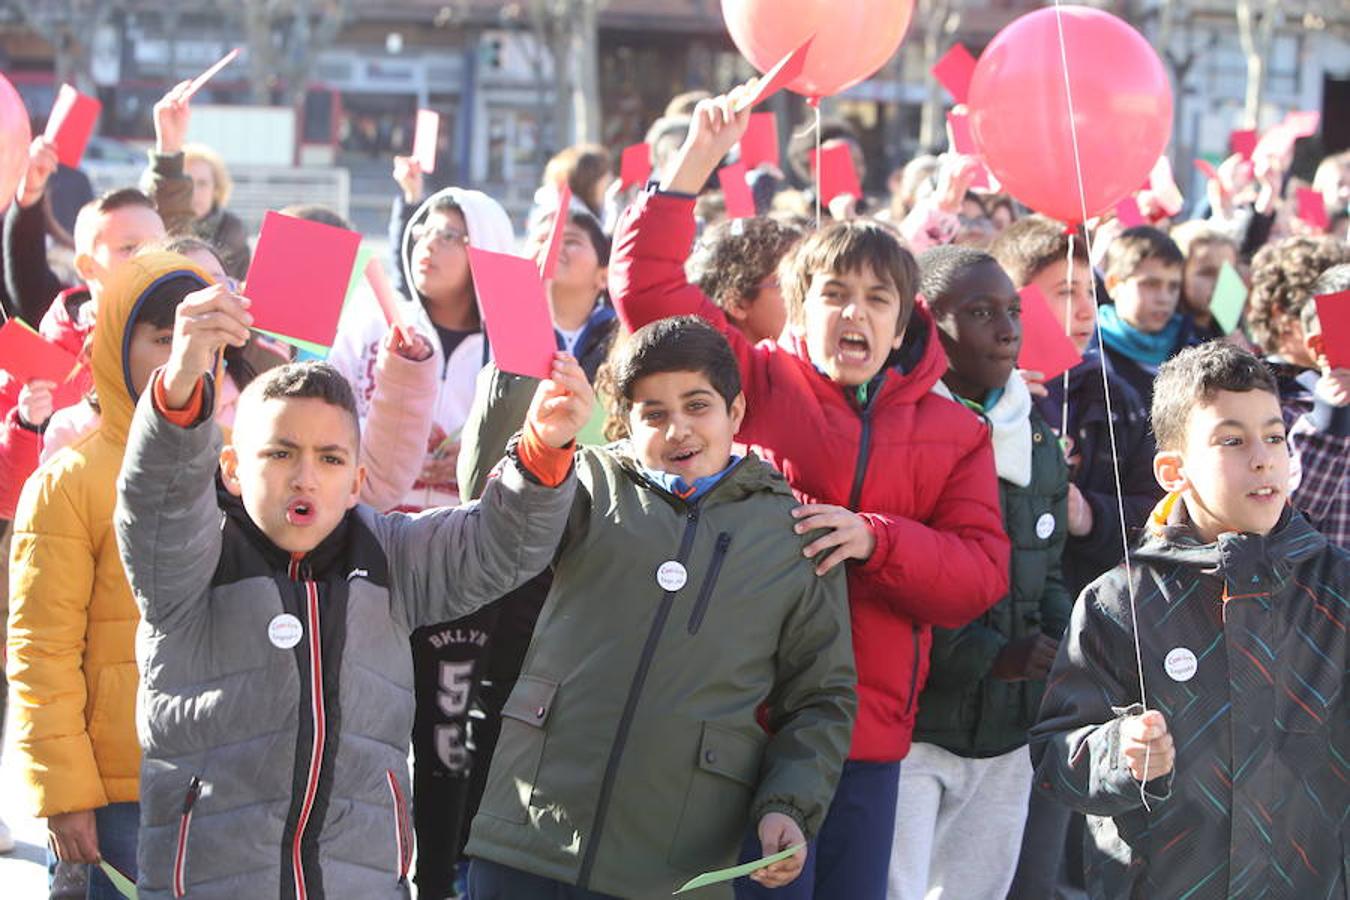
1282 284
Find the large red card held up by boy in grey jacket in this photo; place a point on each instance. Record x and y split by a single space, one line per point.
299 277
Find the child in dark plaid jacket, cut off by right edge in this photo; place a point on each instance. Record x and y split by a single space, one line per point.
1321 438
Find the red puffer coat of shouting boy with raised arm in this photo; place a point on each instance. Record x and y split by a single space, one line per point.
919 468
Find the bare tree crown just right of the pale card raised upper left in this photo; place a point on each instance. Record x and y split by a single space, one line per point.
286 38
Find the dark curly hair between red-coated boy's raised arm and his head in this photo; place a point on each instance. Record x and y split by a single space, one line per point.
732 258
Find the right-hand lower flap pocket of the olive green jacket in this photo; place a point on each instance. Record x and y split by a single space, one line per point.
712 825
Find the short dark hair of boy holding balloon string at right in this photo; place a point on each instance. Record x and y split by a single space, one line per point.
1194 377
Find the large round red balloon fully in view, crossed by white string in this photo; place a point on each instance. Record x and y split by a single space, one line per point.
1020 110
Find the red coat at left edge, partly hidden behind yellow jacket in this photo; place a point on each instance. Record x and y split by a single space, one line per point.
20 446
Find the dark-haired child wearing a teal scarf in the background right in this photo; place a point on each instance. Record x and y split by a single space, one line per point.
1143 329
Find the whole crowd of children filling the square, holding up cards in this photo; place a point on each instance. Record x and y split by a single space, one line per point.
846 585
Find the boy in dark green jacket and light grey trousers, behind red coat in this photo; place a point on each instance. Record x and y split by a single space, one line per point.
969 775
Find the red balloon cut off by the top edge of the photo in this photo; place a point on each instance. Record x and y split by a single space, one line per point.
854 38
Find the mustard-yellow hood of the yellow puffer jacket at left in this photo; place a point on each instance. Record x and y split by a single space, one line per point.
118 310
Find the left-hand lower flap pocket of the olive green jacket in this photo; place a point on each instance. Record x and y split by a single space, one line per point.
520 750
